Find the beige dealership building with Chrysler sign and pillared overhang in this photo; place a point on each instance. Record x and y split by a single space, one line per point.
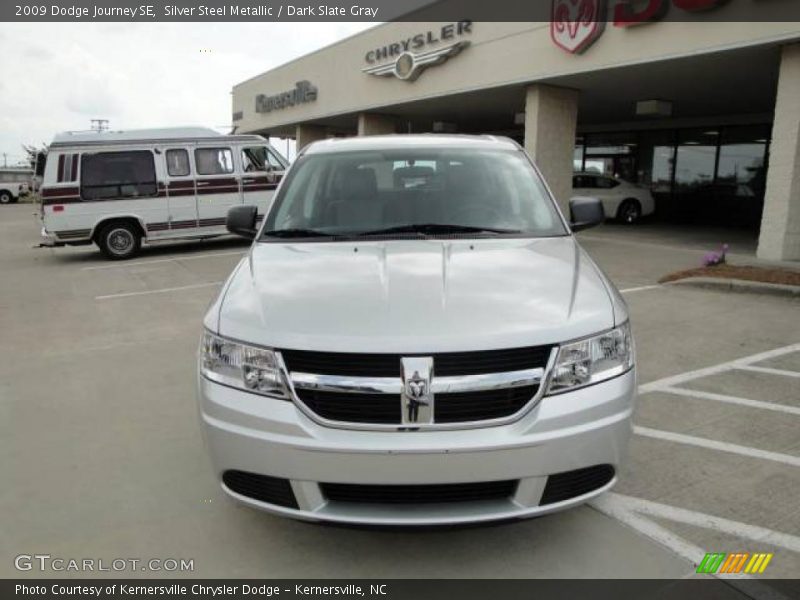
705 110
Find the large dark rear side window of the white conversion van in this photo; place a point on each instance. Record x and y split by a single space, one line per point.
107 175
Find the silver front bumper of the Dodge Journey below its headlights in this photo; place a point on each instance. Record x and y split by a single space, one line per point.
563 433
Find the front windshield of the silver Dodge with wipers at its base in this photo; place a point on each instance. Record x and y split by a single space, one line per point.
413 192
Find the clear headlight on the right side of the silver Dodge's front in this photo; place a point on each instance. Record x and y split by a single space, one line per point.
593 359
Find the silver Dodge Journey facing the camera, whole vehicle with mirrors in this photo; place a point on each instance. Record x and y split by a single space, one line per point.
416 338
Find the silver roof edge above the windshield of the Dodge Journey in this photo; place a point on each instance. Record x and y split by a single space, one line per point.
405 141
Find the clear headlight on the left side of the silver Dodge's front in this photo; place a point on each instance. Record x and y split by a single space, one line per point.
242 366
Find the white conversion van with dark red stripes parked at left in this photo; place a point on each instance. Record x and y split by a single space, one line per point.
118 189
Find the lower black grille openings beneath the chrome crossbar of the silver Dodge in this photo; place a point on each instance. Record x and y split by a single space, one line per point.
386 409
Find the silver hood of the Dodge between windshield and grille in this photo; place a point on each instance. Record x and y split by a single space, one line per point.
415 295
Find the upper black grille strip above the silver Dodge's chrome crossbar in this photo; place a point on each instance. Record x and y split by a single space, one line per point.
388 365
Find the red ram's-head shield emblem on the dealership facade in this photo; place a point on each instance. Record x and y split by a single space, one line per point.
576 24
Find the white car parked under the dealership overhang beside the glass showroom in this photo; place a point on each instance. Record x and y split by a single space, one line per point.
622 200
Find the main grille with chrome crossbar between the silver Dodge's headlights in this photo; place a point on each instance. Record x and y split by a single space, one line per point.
358 390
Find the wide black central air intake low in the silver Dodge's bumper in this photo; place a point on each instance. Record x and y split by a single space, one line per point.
419 494
